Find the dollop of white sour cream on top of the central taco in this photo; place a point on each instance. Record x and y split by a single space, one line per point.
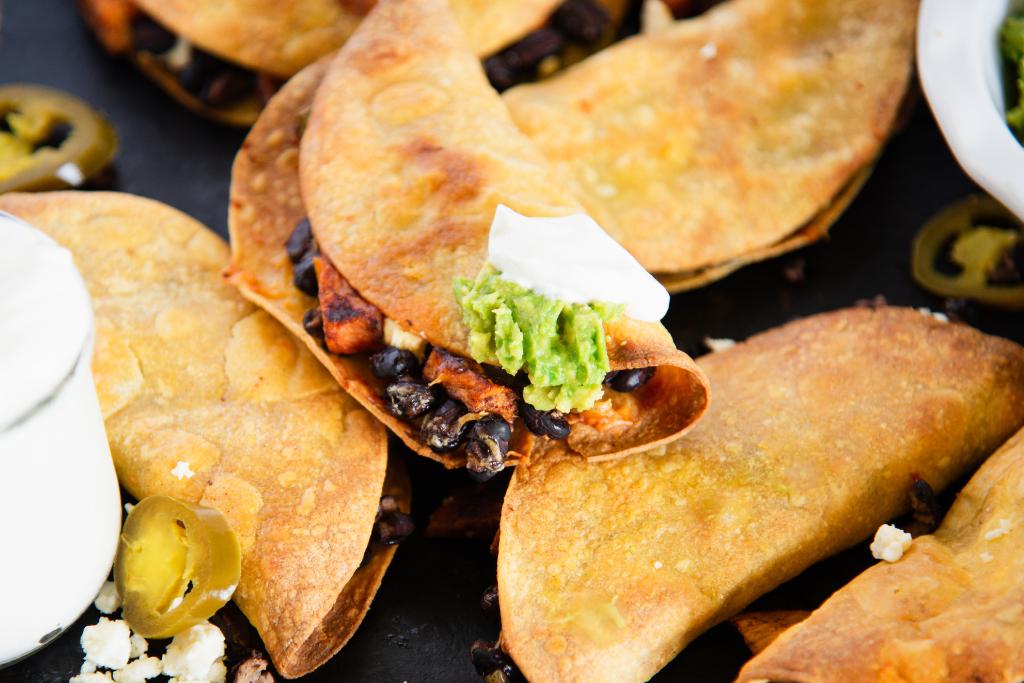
573 260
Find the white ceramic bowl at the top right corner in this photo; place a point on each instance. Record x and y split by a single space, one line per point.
962 73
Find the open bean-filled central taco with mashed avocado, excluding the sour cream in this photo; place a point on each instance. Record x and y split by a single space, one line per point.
406 157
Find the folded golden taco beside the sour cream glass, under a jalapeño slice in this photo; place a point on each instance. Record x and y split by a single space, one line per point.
189 371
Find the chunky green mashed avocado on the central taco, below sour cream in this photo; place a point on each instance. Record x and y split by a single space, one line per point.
560 346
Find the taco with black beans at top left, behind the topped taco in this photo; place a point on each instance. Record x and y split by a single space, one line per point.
224 60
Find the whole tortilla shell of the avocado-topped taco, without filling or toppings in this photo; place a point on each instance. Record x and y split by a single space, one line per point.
405 158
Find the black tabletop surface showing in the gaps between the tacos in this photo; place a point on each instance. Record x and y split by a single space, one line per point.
426 614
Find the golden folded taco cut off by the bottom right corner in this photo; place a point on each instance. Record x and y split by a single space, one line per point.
952 610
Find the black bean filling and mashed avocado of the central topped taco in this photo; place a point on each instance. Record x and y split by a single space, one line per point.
540 365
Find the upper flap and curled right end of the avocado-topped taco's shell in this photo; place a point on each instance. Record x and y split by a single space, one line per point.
407 155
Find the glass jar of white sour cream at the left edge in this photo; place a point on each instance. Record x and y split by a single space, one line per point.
59 494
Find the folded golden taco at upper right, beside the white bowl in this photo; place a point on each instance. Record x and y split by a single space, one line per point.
722 137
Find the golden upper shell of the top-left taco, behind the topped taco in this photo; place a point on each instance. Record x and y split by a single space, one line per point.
280 37
